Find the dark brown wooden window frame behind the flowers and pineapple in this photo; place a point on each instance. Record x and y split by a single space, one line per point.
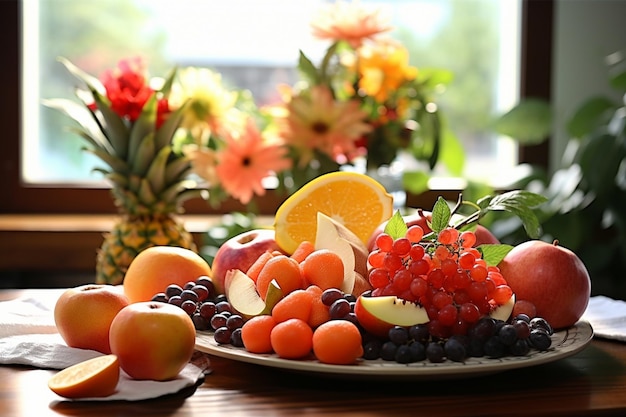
536 52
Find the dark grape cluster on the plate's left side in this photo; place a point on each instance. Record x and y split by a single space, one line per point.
207 309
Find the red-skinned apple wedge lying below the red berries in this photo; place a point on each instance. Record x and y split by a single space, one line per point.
379 314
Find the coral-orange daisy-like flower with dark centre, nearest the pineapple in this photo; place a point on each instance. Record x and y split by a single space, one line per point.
246 159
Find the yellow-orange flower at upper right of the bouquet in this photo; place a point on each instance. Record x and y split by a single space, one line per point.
383 68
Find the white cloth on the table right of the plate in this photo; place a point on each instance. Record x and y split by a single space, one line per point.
607 317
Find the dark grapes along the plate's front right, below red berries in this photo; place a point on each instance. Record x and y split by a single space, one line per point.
488 337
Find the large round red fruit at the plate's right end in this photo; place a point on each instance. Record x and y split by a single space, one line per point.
551 277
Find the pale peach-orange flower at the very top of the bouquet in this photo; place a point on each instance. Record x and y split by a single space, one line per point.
348 22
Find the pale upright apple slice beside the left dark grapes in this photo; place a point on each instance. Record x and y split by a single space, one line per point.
243 297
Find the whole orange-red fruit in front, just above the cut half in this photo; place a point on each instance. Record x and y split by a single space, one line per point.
153 341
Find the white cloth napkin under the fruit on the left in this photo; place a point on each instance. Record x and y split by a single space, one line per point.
28 336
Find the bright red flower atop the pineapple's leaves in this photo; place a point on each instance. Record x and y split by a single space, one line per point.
127 87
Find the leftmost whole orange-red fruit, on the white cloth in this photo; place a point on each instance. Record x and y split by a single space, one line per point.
83 315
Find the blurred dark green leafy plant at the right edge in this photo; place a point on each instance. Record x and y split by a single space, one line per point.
586 207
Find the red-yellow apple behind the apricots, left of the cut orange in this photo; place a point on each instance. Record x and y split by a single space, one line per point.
240 252
